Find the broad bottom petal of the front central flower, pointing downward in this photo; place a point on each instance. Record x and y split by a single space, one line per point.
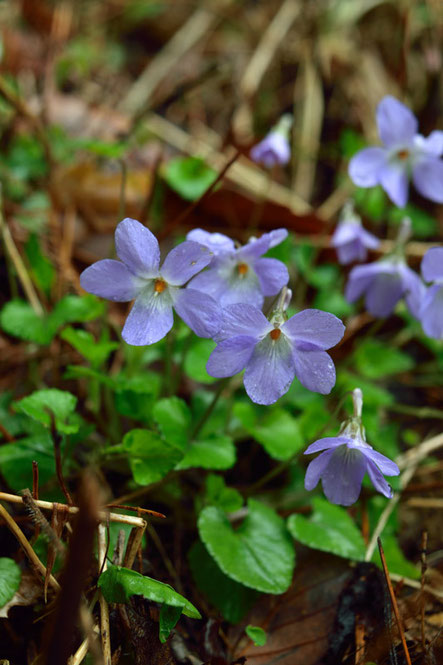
270 371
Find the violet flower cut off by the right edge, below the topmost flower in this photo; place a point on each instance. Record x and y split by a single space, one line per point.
431 309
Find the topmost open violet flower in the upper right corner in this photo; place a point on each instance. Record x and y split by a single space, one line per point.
405 154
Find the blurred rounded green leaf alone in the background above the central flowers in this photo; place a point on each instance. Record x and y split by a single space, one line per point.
189 176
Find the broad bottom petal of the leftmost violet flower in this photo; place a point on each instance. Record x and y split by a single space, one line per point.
150 318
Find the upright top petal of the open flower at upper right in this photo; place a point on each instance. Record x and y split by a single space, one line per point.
396 123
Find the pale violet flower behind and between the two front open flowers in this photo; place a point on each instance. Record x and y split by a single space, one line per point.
241 275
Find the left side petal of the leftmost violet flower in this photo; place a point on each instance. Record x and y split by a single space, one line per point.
111 280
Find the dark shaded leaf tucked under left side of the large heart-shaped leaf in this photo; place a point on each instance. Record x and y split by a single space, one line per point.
231 598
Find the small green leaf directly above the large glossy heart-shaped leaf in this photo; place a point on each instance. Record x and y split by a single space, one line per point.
216 451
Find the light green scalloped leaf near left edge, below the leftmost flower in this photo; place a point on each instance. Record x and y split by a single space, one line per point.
60 402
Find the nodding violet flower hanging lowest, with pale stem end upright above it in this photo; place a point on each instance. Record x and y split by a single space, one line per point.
346 459
